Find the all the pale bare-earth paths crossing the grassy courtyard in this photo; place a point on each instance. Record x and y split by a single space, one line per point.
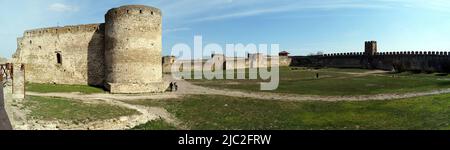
185 88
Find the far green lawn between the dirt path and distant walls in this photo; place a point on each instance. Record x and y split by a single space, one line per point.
333 82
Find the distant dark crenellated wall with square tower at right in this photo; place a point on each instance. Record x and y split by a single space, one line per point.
416 61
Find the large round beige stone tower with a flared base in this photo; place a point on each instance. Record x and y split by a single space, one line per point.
133 49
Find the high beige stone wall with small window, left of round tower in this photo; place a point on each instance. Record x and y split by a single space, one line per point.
80 49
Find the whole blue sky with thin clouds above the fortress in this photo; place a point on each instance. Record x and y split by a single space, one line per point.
299 26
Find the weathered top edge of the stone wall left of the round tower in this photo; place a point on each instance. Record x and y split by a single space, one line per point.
64 29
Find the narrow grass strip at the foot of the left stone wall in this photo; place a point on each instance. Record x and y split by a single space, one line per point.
49 88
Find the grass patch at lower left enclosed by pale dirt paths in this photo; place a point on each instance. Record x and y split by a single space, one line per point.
49 108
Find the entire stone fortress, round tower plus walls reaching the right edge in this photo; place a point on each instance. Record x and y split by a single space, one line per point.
123 55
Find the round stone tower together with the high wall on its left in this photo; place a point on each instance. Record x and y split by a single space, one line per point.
123 54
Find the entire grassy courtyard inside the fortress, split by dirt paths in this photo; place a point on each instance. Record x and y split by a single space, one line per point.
211 112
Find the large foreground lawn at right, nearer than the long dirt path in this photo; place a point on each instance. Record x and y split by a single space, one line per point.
221 112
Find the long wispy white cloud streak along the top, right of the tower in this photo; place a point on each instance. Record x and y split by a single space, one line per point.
190 11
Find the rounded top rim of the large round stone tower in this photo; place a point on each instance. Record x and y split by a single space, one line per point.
133 10
